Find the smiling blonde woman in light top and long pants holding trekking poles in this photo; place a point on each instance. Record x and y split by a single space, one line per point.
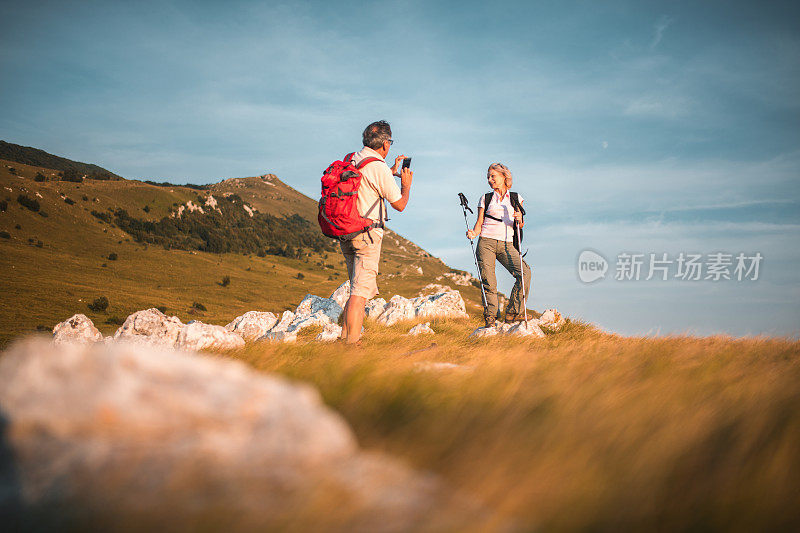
495 225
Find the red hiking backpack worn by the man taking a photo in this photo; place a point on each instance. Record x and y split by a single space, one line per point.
338 214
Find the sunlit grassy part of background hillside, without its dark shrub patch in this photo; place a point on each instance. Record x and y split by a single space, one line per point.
43 286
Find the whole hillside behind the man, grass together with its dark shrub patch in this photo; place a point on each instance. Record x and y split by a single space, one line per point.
59 258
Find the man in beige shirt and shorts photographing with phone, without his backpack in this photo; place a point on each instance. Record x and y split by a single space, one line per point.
362 254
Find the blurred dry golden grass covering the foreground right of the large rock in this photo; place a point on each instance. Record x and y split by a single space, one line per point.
581 430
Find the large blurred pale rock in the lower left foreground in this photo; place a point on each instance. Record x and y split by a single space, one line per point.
106 436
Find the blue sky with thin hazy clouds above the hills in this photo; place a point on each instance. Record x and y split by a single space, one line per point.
629 126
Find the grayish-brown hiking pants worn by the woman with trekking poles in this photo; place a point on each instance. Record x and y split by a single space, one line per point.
488 251
